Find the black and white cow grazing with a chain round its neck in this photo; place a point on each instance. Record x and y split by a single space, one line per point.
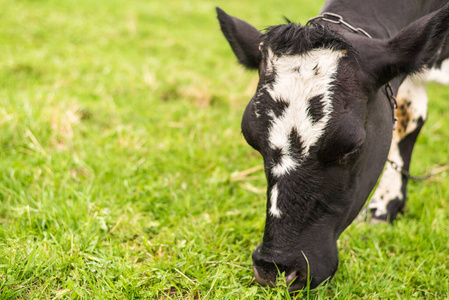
323 123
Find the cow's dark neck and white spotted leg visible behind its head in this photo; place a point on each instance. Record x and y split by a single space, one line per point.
390 195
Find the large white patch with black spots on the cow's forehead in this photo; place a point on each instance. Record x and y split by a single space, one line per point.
298 79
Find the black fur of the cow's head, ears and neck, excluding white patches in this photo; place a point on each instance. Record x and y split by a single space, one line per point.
324 194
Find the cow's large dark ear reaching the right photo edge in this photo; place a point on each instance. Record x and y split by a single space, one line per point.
413 48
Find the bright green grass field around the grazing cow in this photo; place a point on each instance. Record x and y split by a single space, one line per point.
122 162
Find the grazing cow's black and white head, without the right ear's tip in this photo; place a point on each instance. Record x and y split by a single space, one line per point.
323 127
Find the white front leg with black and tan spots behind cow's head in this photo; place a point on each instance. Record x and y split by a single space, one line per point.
389 197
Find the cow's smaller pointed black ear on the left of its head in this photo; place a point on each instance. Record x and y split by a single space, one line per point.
243 38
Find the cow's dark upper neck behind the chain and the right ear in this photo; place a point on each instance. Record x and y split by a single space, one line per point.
381 18
